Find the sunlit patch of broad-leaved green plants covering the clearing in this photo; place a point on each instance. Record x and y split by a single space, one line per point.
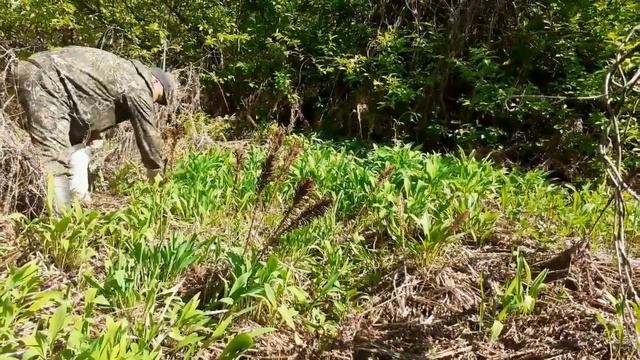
389 205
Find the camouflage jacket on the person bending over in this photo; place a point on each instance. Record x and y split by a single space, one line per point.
102 90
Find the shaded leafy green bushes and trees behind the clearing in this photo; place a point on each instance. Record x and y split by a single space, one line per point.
440 73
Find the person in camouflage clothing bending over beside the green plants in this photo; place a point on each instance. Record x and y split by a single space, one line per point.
70 95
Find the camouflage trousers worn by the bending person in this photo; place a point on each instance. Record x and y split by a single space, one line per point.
48 122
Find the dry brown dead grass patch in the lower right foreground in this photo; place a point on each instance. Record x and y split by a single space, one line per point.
418 313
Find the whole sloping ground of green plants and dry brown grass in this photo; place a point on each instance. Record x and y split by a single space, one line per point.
401 227
